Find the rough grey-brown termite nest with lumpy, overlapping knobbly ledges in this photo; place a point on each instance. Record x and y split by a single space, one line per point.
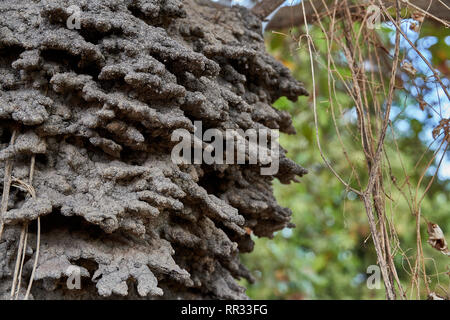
90 113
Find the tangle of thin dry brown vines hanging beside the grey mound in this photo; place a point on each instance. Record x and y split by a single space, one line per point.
373 93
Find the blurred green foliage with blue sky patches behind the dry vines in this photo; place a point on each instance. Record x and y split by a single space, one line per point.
327 255
